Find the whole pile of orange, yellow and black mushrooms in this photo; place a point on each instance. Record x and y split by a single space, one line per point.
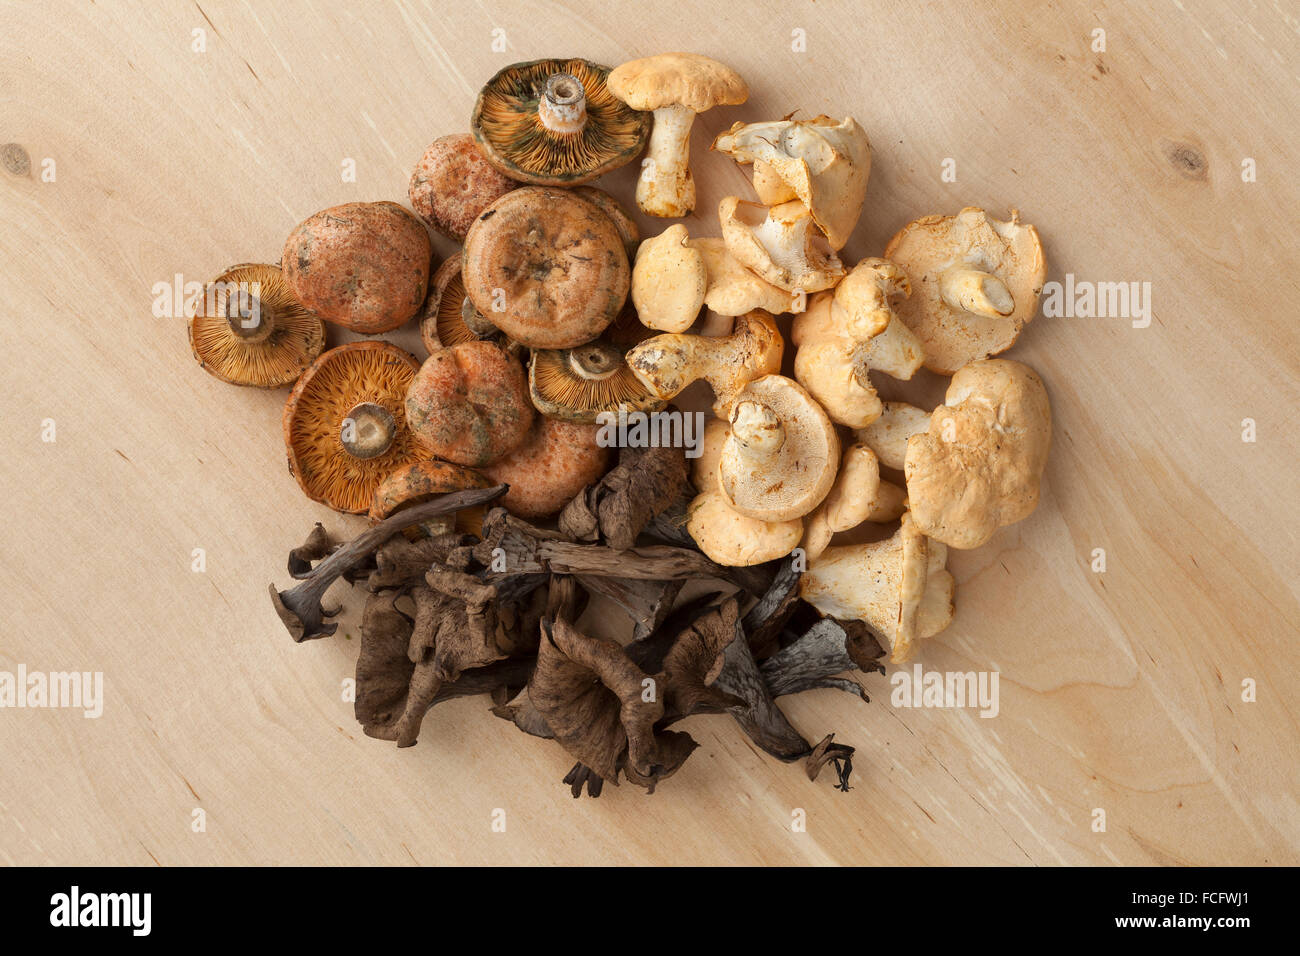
808 538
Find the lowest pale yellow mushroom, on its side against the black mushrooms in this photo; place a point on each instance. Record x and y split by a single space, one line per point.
899 587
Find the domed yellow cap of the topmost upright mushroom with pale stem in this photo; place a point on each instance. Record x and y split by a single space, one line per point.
678 80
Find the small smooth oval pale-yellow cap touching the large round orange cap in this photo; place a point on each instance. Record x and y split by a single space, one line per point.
669 282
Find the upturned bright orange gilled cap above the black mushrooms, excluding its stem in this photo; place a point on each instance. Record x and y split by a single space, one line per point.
320 405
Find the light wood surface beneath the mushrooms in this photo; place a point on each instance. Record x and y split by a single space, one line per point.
1120 691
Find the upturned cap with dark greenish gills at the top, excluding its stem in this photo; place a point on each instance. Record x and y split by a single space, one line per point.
513 137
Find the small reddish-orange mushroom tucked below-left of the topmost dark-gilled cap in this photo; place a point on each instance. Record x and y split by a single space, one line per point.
454 183
